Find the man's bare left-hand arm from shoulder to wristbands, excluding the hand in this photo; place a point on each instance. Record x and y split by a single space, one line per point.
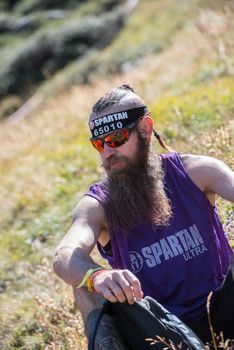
72 258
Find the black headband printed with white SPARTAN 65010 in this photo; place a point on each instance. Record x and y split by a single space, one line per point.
119 120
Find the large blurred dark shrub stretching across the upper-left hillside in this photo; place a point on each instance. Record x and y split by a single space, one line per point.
50 50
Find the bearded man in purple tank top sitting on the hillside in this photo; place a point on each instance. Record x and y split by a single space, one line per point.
153 218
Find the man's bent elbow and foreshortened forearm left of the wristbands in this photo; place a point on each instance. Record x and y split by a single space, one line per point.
71 264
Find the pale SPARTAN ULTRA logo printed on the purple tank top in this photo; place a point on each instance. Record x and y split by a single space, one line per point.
187 243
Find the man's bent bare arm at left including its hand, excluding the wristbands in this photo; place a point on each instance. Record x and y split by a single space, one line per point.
72 258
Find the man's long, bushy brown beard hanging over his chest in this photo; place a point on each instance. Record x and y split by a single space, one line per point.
136 194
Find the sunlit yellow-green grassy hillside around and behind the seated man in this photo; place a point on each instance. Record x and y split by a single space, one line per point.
179 56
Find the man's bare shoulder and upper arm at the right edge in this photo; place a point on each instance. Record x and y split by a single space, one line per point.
211 175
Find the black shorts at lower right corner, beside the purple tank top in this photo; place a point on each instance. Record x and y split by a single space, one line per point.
221 312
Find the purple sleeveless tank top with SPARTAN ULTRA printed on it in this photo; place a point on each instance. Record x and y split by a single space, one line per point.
180 264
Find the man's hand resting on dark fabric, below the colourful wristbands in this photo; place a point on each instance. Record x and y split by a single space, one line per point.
118 285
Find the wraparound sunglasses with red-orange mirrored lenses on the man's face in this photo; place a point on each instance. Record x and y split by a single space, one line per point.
113 139
